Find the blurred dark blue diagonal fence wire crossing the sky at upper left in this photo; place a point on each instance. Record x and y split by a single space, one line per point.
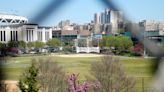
48 10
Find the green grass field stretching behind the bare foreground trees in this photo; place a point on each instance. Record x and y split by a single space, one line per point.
137 67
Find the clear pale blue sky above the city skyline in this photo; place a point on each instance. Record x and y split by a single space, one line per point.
82 11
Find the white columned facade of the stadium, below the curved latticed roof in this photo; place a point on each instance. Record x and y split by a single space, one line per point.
25 32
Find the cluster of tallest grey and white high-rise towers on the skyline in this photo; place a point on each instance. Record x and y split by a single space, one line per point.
109 17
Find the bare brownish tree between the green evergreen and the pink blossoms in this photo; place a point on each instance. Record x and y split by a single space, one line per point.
51 76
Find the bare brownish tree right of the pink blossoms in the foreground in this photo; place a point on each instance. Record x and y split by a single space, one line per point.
111 76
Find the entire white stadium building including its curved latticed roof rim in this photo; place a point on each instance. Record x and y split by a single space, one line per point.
16 28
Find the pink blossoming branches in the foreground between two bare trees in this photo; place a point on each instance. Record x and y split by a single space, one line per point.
74 87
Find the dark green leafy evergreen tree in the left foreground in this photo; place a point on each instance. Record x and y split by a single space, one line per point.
28 81
